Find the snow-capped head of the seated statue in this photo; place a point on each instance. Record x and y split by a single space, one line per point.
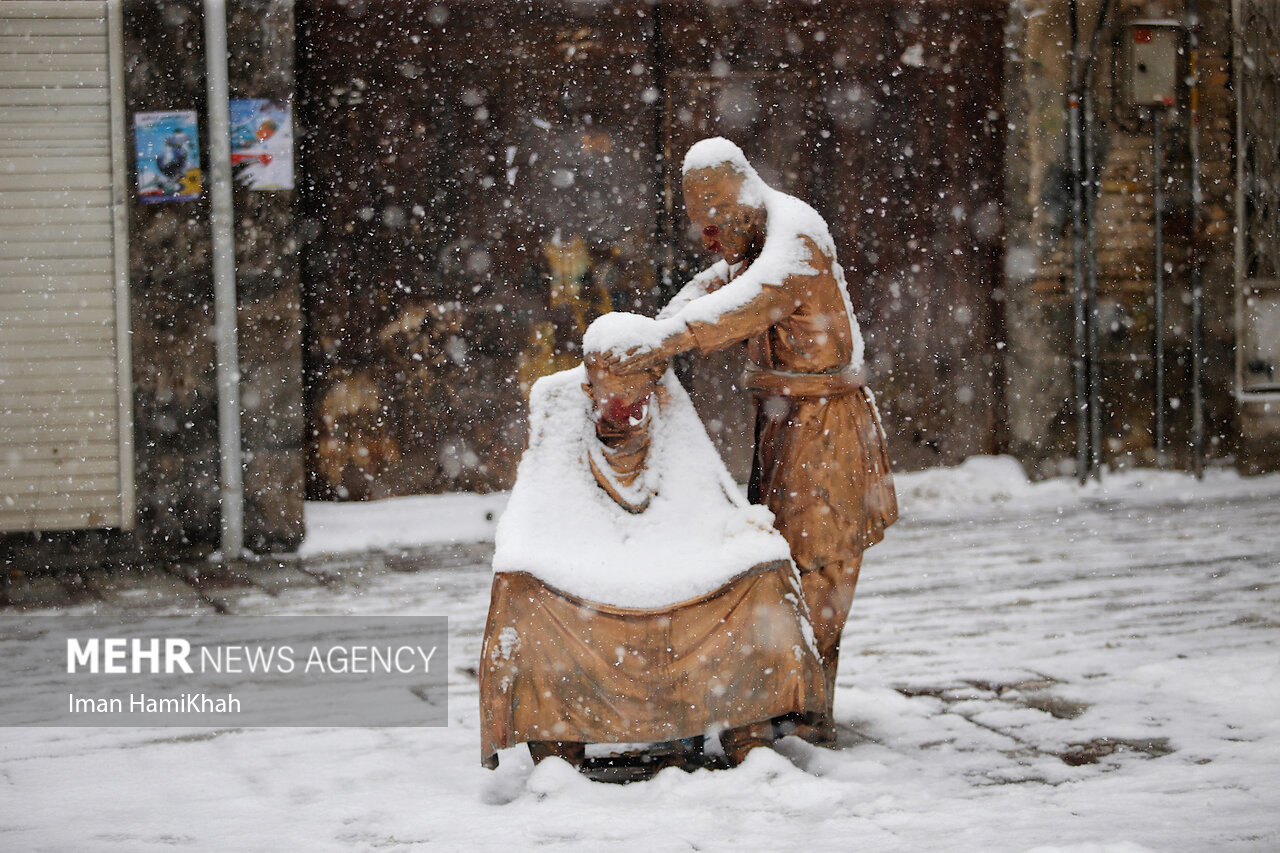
619 400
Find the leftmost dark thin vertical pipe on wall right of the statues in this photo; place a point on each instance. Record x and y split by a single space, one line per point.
1078 363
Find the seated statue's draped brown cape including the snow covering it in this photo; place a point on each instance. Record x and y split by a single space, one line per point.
637 604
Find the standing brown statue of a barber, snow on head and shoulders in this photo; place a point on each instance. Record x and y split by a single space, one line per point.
821 463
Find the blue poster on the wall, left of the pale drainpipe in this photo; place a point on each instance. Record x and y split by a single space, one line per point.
168 157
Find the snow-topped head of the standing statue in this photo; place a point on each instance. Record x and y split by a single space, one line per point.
725 199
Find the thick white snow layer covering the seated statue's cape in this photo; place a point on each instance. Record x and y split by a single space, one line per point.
697 535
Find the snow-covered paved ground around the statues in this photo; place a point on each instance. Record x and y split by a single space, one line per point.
1028 667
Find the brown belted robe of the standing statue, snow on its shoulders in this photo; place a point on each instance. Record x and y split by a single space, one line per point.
821 460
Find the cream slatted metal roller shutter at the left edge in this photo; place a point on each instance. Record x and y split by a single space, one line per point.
66 421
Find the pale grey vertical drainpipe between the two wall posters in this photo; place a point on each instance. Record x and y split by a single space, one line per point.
225 282
